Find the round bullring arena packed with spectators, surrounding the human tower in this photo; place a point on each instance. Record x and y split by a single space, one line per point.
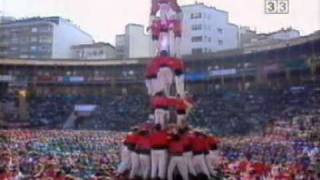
67 119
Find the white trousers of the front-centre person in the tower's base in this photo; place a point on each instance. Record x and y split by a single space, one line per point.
159 160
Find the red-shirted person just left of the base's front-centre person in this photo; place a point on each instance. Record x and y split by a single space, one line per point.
143 148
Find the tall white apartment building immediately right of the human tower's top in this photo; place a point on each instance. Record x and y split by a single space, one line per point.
207 29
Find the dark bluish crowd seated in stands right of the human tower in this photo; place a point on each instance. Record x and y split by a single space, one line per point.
250 111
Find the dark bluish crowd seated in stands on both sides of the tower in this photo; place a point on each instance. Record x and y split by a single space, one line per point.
245 112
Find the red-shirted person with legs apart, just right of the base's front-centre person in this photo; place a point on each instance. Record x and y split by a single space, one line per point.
176 150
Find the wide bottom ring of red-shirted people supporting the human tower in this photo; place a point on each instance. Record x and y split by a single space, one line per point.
174 153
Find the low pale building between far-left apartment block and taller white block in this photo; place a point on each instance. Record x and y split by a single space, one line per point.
93 51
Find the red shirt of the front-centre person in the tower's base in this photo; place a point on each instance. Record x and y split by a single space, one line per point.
160 140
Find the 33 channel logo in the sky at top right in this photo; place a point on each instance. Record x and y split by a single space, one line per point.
276 6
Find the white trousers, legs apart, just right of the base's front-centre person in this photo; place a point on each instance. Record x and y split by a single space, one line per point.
178 161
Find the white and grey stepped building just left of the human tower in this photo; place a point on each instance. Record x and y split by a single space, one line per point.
134 43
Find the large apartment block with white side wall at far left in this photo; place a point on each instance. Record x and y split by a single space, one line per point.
41 38
